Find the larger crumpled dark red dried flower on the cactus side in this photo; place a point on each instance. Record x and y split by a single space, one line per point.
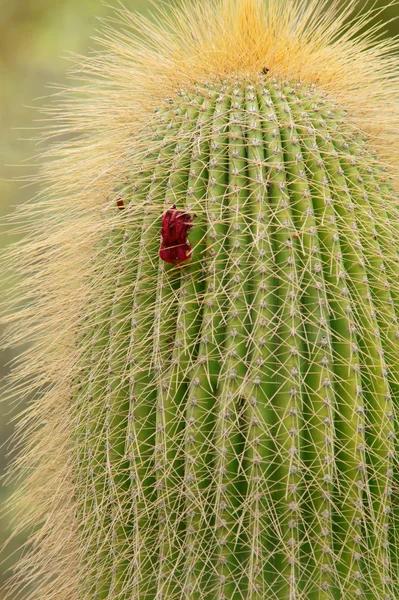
175 248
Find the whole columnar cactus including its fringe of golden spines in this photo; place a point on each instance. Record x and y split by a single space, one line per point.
215 338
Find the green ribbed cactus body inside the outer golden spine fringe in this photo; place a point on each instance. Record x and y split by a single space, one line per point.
236 415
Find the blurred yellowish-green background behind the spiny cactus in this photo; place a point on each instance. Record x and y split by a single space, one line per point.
35 38
